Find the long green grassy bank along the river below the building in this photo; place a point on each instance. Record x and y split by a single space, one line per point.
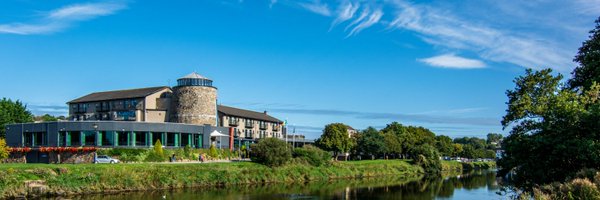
19 180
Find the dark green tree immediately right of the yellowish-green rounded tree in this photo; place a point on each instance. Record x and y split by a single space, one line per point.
371 142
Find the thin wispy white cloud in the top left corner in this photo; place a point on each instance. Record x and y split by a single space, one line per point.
62 18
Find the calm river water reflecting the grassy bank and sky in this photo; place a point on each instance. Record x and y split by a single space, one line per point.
476 185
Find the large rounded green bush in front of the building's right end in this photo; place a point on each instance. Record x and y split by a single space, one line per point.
271 152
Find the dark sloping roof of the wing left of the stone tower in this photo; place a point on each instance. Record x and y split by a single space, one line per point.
118 94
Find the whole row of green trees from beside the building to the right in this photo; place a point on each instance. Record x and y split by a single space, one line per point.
400 141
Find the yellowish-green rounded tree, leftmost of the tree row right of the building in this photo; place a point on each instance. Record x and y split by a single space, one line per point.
335 138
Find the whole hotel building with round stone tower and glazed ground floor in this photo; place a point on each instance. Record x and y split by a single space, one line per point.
186 114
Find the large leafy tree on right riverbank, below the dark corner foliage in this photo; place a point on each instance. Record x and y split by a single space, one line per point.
555 131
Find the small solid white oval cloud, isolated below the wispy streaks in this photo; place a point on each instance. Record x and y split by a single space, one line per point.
454 62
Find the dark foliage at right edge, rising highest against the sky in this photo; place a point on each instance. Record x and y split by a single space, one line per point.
588 58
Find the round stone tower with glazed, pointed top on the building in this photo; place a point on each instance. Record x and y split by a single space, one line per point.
194 101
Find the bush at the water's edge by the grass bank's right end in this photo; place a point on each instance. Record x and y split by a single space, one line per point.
428 158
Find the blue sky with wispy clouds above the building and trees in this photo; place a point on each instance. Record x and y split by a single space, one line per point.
443 65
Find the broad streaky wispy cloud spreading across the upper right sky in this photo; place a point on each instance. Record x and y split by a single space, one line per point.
506 33
